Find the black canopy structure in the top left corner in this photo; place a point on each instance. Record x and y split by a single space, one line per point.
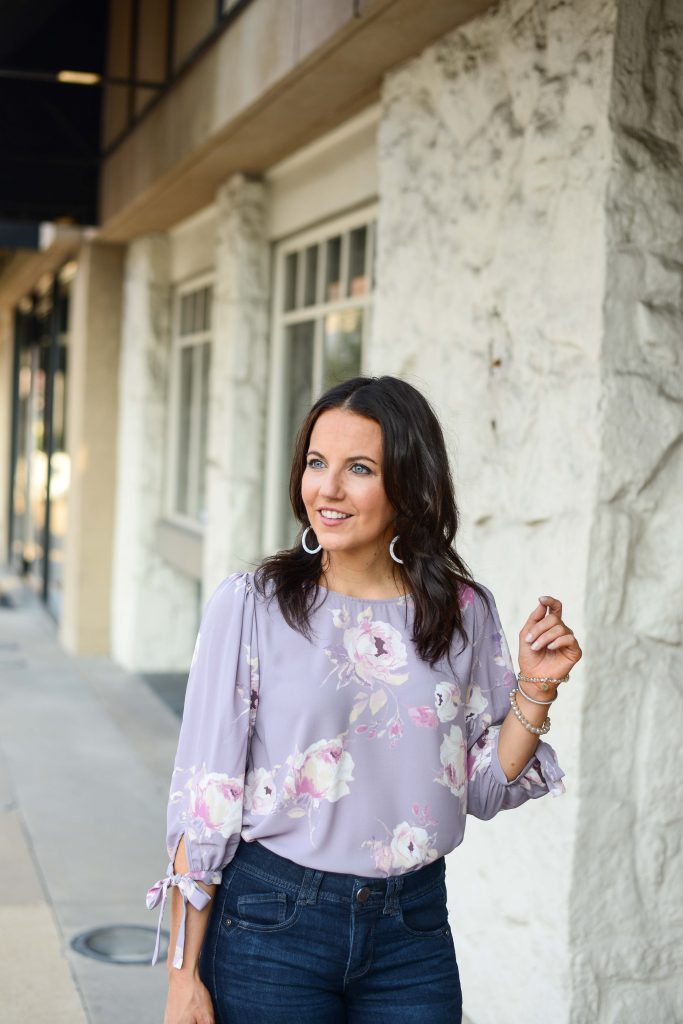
50 130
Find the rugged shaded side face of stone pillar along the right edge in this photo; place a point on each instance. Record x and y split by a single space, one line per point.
627 892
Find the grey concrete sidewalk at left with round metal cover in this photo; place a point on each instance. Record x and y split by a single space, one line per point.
87 752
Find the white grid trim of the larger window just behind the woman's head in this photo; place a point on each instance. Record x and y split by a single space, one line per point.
277 474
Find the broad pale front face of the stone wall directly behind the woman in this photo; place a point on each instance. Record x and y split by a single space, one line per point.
494 162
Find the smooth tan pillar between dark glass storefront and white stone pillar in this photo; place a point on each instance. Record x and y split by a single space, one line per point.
93 415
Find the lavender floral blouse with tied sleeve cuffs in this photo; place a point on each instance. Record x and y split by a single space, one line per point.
363 758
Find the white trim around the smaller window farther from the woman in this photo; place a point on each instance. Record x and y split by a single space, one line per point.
193 284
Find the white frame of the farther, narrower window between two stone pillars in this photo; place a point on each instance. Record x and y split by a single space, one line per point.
180 343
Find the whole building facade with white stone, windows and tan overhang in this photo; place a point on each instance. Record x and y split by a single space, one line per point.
488 201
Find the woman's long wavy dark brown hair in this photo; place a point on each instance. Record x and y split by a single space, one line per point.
419 486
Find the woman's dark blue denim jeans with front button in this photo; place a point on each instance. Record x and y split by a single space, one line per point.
287 945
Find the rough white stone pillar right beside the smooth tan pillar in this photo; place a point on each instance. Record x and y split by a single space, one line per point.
155 608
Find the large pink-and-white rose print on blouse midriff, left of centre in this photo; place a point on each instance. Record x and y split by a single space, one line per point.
320 773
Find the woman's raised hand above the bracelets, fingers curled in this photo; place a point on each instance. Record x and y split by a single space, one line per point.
547 646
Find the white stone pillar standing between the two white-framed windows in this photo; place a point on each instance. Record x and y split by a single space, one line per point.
239 381
